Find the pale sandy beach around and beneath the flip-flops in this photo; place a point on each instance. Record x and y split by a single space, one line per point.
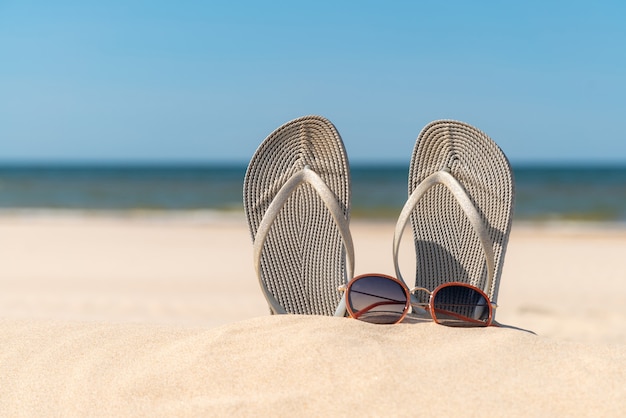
136 314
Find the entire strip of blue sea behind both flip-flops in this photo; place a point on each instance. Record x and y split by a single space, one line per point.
543 192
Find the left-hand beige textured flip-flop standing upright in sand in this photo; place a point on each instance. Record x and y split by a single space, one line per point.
297 203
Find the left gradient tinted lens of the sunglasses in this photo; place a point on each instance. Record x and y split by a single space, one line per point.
377 299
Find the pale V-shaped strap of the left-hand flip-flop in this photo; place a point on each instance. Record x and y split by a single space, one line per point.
306 175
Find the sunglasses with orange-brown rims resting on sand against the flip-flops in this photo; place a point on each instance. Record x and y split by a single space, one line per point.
382 299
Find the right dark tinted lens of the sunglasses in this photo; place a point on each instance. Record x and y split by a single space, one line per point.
460 306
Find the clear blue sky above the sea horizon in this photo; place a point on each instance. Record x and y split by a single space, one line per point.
195 81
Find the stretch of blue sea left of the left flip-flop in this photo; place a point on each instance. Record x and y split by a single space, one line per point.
122 187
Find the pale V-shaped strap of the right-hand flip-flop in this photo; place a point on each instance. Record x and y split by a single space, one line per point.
458 191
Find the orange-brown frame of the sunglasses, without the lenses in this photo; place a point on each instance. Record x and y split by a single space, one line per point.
412 302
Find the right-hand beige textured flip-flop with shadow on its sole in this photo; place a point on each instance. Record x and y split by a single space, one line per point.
460 204
